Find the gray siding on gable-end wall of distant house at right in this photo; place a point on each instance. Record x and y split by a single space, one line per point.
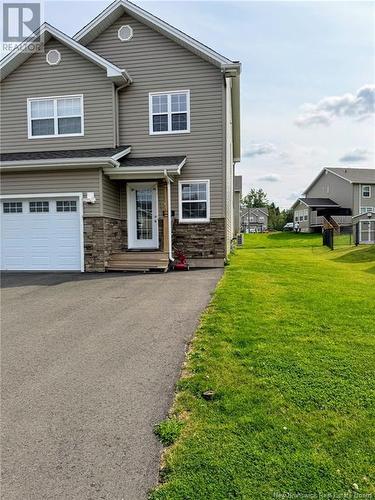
333 187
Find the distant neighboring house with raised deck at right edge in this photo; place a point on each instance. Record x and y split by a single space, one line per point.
340 197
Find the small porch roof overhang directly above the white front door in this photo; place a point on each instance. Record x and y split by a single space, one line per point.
147 168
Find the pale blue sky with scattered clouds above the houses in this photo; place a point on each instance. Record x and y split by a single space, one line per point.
307 82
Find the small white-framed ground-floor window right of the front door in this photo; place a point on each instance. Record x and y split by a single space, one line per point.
194 201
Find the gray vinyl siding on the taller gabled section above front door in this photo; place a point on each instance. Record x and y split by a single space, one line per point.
157 64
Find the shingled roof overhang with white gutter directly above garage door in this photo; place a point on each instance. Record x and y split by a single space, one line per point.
68 159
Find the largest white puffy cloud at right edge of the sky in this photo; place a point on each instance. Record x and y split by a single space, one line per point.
358 106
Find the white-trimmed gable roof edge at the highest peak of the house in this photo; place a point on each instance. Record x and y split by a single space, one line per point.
120 7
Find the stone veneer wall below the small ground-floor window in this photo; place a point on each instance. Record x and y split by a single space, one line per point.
201 241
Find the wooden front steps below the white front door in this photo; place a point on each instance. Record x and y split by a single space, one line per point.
138 261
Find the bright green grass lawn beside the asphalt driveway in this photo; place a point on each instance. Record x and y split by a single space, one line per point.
287 346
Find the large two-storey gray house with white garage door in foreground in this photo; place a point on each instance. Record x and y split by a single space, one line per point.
119 140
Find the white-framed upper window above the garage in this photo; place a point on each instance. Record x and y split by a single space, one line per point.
55 116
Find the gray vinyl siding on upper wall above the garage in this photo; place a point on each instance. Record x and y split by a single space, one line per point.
73 75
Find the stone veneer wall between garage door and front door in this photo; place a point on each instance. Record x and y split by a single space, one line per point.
102 236
